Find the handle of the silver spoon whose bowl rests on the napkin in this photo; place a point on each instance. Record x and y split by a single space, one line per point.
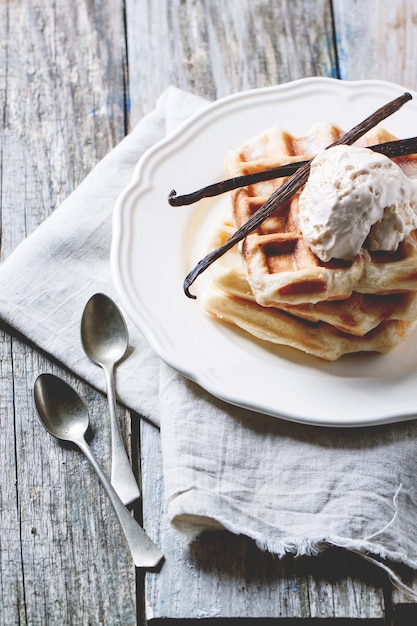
122 477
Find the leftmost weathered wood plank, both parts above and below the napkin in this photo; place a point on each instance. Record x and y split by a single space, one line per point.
62 86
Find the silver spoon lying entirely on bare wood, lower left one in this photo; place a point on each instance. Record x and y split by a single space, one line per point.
65 416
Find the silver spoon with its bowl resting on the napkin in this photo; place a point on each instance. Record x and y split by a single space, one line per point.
105 340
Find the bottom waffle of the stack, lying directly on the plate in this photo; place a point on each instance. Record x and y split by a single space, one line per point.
319 339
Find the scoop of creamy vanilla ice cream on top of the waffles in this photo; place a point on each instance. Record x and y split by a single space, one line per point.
351 193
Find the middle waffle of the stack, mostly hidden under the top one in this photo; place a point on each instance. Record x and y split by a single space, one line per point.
356 315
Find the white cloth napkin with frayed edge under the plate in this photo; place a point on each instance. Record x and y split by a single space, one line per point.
290 487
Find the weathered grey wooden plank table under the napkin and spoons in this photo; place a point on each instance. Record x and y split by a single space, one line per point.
74 78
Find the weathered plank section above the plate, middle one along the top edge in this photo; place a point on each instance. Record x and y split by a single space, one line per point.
216 48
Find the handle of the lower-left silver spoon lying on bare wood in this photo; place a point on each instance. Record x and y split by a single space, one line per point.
144 552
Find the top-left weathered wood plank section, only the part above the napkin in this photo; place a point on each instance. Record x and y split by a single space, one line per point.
65 104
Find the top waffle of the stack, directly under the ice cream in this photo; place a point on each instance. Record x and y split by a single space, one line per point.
279 265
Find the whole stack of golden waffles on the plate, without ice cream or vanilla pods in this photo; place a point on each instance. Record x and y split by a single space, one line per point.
275 288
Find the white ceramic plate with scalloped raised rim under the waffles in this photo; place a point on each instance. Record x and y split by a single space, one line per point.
155 246
